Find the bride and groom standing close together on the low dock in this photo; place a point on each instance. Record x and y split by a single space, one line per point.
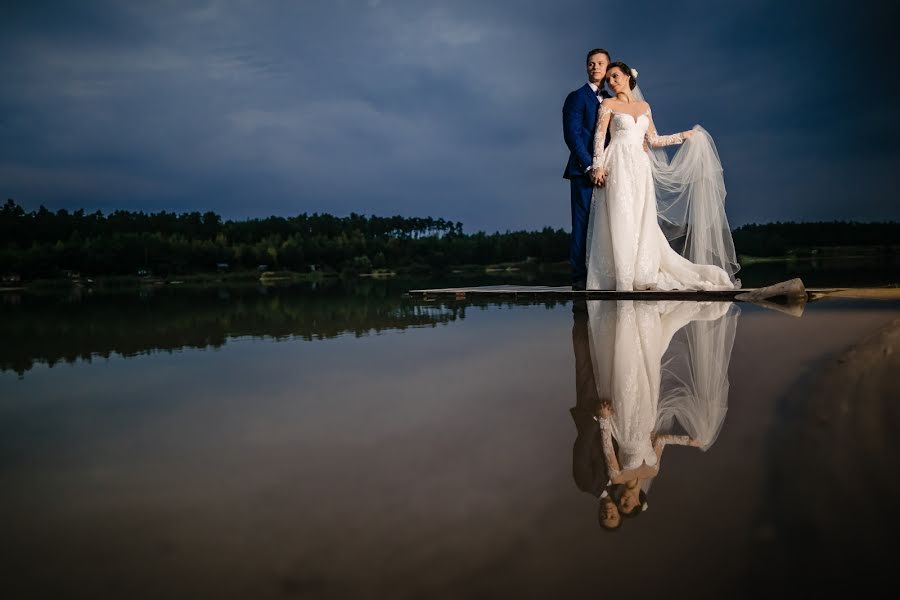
625 190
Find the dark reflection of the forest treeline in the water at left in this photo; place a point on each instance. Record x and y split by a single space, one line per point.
50 329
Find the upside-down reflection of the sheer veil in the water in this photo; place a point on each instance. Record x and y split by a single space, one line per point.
694 381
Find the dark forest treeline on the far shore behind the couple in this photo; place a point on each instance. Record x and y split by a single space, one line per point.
45 243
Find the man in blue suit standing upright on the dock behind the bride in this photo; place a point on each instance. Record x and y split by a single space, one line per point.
579 122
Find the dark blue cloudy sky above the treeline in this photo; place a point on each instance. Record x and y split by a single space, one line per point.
445 109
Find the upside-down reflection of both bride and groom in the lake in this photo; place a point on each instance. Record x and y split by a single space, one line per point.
647 375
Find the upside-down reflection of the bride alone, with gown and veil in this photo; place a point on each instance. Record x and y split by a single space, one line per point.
661 371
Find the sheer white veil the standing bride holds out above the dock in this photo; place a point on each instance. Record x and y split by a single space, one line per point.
690 195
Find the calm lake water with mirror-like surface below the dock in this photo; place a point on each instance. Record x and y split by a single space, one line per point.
341 440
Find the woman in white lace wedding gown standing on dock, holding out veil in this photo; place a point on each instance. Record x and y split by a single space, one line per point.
637 188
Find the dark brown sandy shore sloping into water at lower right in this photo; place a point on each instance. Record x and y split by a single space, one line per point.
834 489
